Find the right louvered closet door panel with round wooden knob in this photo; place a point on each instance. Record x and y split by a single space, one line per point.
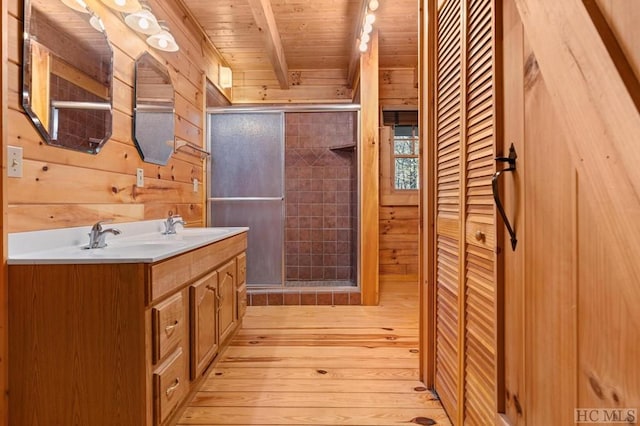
480 263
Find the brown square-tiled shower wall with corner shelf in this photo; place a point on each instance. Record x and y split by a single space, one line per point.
321 197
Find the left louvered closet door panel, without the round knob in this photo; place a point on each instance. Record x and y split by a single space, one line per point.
448 189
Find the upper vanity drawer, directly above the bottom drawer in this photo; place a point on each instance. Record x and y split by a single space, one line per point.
168 326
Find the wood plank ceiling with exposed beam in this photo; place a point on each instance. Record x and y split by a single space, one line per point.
281 37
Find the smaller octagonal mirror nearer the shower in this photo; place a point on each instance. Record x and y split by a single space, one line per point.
153 123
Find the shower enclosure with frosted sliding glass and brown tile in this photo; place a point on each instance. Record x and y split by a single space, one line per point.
291 176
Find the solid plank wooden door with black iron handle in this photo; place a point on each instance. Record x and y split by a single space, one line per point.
572 327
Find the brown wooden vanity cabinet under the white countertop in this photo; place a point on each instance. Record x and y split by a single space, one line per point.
105 344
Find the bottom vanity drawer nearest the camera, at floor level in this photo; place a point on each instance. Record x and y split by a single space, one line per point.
170 385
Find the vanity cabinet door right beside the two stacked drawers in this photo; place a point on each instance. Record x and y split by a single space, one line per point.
203 299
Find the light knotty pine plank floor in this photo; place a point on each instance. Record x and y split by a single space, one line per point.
321 365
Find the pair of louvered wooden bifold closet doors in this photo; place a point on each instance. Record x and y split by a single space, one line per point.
465 371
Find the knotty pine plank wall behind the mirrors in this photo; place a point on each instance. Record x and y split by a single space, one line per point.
62 188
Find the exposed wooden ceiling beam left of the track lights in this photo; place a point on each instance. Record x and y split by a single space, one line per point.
266 21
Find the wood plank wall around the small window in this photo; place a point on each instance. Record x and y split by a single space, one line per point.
399 224
